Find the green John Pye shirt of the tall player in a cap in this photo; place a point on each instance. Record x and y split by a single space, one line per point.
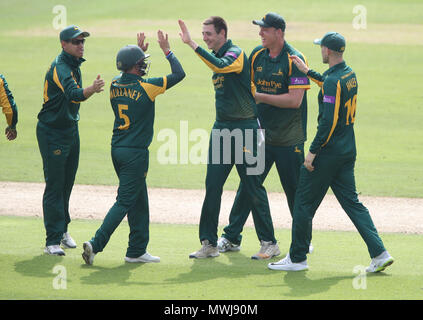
283 126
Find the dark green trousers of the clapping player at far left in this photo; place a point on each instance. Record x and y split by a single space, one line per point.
59 150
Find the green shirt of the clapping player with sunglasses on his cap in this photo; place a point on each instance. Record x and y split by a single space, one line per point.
63 92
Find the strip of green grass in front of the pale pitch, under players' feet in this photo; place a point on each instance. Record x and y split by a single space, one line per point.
335 272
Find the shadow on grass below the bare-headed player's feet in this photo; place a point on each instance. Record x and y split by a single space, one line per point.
239 266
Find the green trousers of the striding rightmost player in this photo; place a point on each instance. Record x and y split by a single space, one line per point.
338 173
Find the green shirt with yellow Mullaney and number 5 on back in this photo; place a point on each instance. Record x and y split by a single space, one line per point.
132 99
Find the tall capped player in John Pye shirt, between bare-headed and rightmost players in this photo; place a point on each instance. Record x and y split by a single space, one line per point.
280 93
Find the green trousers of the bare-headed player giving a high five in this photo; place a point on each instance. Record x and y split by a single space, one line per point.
219 168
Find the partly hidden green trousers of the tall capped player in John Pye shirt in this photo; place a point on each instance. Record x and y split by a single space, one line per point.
288 161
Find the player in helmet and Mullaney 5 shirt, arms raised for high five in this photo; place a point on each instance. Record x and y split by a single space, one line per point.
133 102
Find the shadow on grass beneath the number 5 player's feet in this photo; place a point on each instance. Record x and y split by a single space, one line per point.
118 275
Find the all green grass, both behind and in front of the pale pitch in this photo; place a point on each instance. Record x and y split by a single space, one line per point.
387 59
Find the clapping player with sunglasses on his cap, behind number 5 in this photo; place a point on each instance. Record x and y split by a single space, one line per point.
58 135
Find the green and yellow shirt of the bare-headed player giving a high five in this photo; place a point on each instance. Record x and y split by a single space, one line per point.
232 82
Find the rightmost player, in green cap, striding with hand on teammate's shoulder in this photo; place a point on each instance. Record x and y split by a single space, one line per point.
330 160
